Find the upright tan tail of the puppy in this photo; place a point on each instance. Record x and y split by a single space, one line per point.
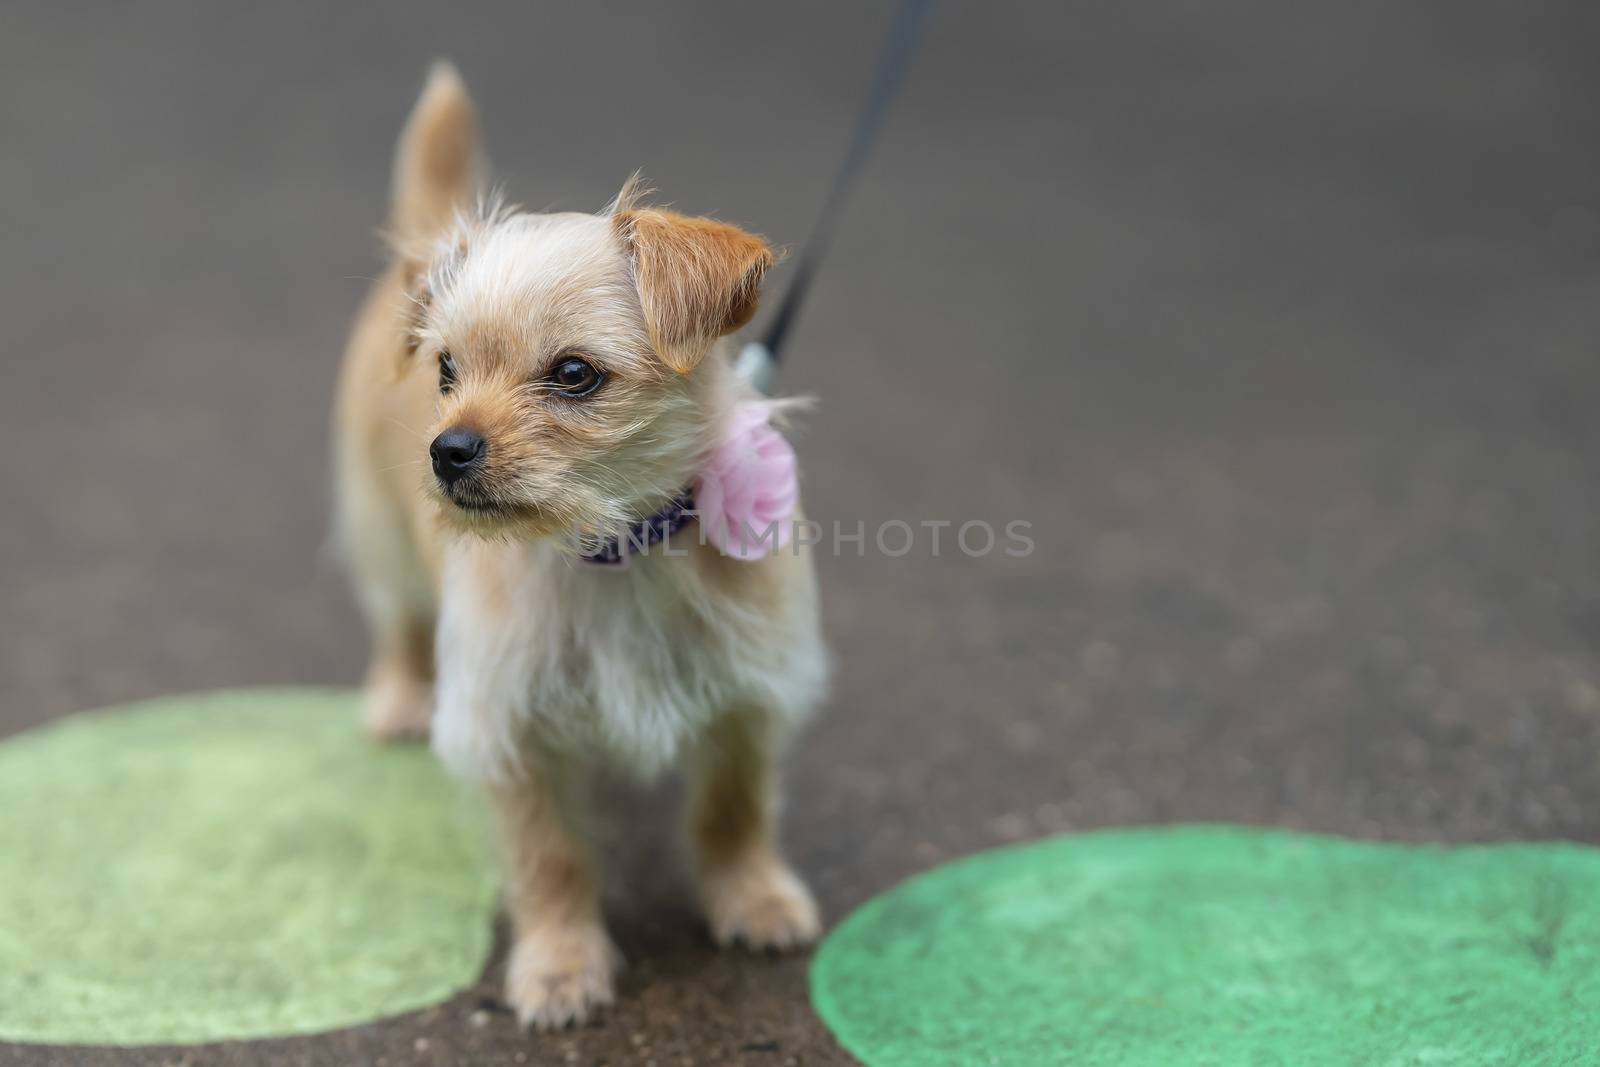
438 162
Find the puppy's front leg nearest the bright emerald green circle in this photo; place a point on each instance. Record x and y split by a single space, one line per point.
750 893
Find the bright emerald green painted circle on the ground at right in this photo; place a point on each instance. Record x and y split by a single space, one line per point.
1228 948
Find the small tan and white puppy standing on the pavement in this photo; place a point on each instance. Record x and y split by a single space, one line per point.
514 378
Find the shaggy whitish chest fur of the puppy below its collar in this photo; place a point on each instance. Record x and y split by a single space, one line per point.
626 665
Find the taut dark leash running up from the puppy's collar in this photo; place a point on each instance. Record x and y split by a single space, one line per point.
761 359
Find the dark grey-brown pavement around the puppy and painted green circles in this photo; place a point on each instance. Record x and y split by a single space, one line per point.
1278 322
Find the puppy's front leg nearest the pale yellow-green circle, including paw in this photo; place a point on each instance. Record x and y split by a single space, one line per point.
562 959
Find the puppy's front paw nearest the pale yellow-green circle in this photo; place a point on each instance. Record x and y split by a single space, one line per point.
561 978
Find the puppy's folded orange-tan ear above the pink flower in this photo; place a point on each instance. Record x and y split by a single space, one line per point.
698 279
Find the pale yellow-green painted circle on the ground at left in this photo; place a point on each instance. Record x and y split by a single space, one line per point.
228 866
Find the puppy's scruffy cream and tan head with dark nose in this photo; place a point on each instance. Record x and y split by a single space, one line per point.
570 351
